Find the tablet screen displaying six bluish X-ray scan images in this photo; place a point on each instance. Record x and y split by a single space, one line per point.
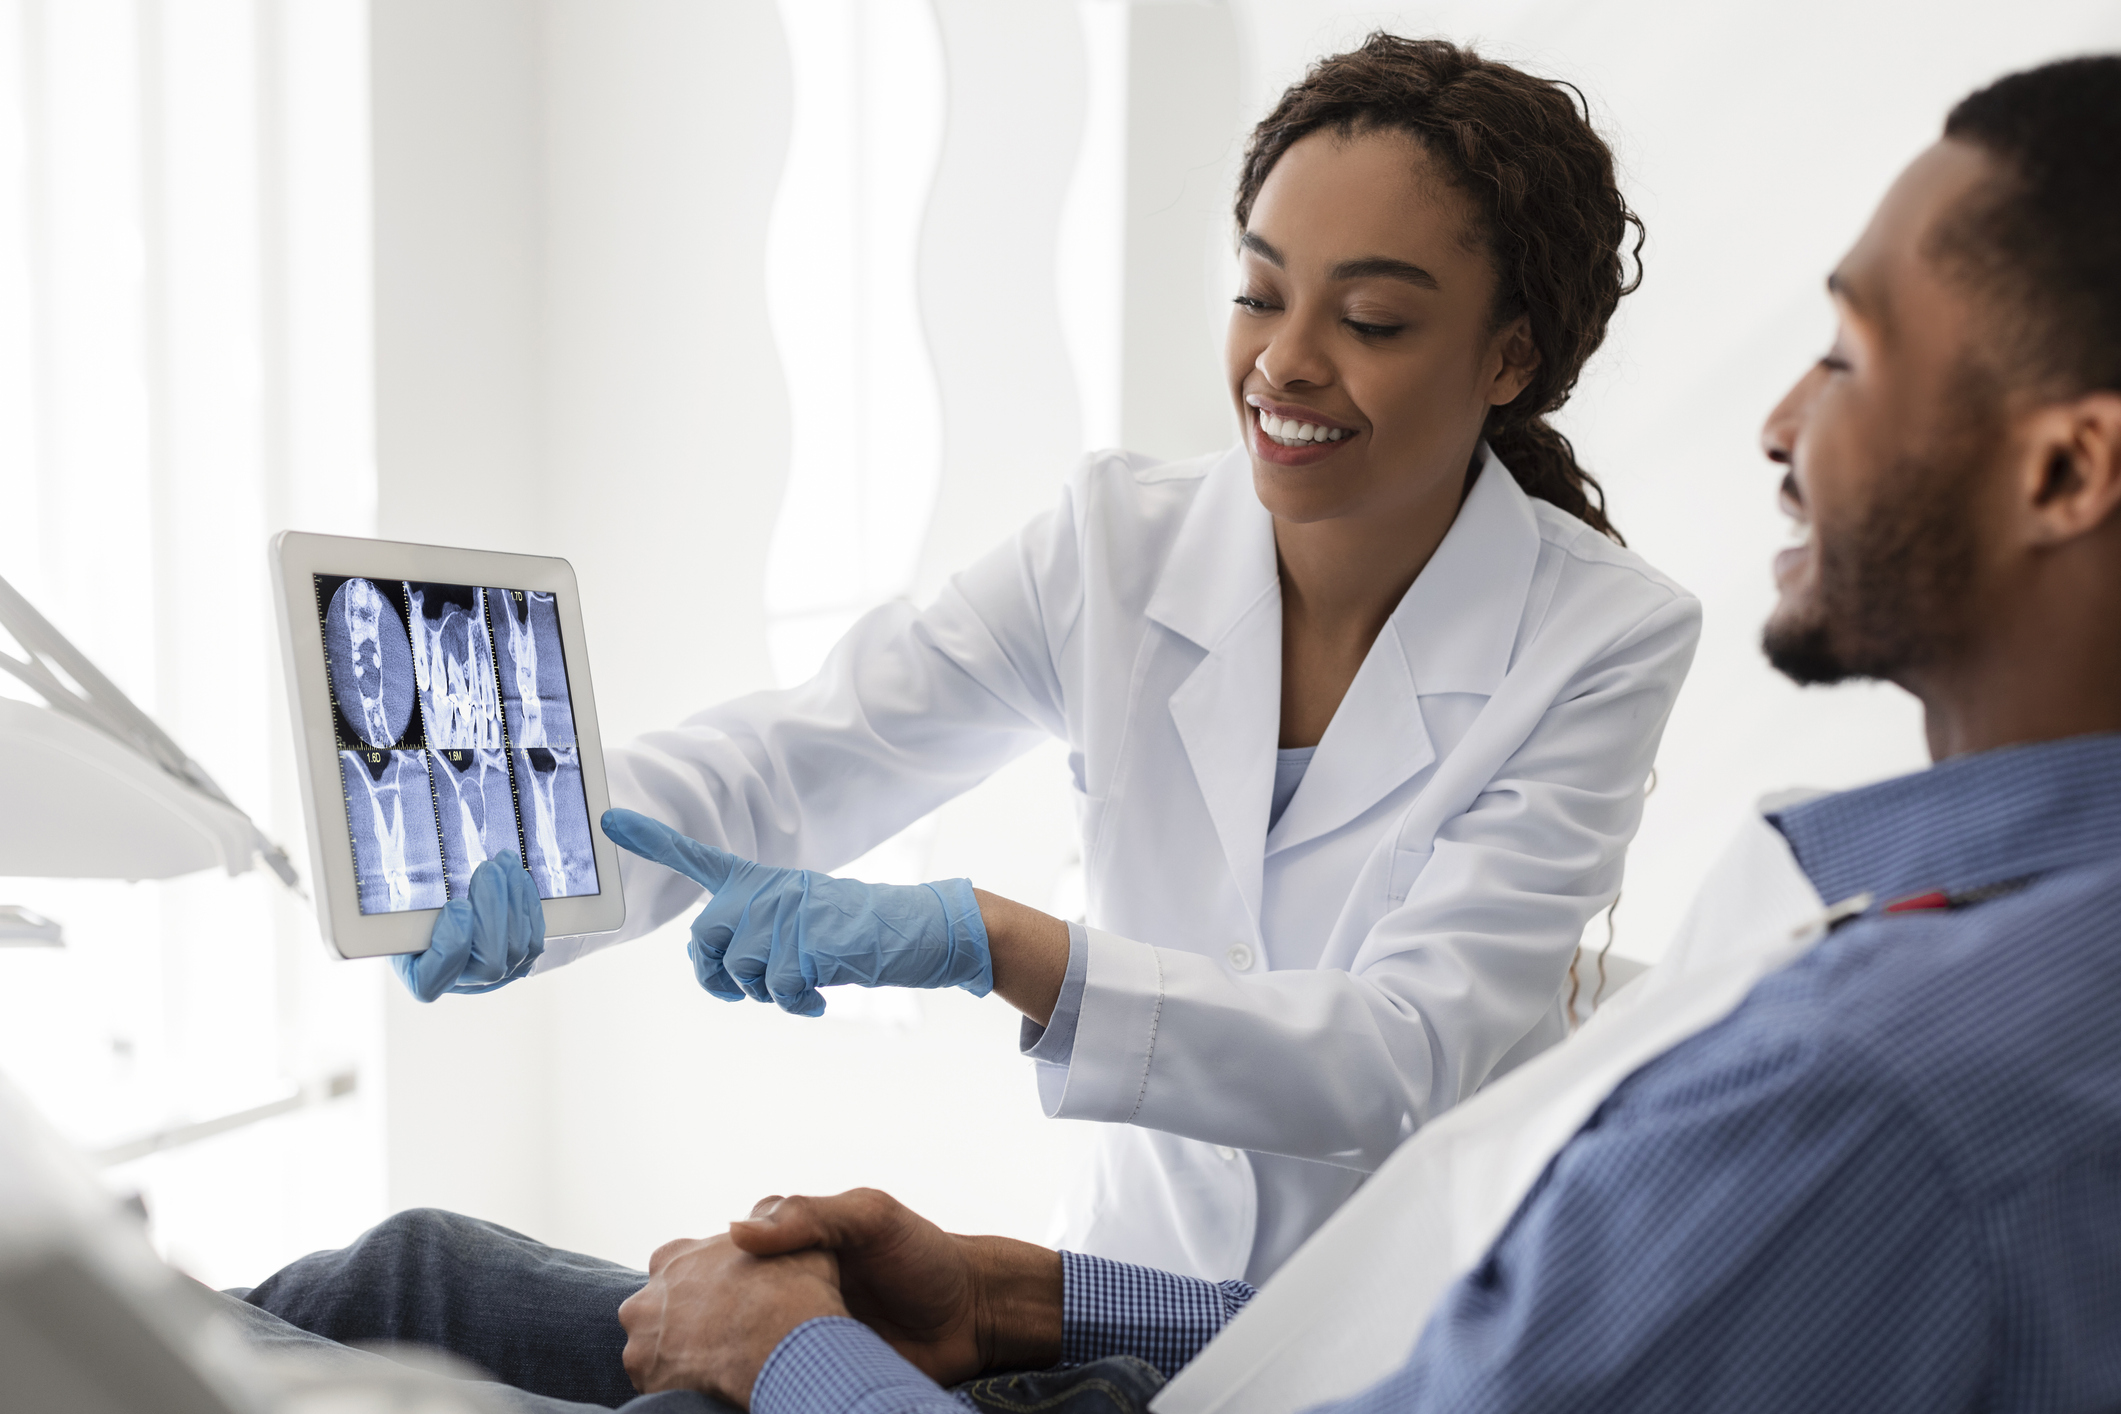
457 739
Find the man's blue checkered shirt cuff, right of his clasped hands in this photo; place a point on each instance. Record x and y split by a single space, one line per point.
1119 1309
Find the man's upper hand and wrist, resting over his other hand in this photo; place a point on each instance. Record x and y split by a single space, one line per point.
953 1307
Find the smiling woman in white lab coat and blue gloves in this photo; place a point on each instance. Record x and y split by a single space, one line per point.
1359 713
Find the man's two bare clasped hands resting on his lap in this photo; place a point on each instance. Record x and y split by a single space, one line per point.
953 1307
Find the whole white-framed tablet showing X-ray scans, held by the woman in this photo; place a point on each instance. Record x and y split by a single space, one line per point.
442 718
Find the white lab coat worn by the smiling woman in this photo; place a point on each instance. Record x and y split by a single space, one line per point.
1295 1002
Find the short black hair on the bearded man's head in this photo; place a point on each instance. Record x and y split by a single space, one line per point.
2044 245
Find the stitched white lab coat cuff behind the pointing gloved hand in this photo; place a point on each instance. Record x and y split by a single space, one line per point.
1123 1000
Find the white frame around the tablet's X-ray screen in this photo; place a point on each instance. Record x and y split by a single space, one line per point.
298 559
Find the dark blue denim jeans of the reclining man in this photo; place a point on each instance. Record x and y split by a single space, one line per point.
546 1324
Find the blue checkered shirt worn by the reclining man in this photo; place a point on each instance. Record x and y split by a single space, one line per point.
1891 1182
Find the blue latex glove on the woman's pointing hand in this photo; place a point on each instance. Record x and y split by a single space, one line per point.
782 934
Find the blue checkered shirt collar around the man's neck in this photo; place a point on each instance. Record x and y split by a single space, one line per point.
1965 824
